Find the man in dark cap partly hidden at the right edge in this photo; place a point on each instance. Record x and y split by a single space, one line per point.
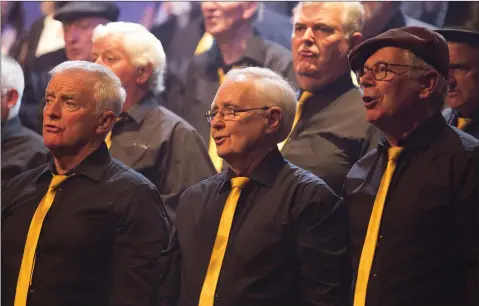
463 94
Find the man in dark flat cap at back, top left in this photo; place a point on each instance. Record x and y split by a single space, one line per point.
79 19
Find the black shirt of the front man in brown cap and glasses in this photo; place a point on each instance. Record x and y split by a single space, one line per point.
427 251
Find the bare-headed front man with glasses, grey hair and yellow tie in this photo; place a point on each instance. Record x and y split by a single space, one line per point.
264 232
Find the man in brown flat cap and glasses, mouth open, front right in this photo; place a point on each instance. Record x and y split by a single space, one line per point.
413 201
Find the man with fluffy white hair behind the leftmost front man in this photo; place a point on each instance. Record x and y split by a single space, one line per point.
148 137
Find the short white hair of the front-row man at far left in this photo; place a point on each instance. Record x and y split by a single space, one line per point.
109 94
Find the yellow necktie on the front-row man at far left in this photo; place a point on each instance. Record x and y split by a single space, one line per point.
28 259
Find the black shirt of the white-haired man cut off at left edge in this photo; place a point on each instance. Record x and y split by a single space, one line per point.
22 150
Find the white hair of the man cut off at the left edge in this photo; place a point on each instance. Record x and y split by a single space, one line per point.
12 78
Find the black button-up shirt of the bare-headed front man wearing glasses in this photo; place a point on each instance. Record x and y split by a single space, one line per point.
287 243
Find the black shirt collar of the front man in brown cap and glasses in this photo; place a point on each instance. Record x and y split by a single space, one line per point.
422 136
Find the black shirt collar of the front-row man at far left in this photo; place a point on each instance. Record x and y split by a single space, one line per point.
93 166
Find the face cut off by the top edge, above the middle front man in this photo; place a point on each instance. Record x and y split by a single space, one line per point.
222 17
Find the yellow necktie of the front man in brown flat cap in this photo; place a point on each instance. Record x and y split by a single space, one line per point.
369 247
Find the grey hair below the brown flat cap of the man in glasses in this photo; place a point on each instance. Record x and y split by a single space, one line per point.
440 92
